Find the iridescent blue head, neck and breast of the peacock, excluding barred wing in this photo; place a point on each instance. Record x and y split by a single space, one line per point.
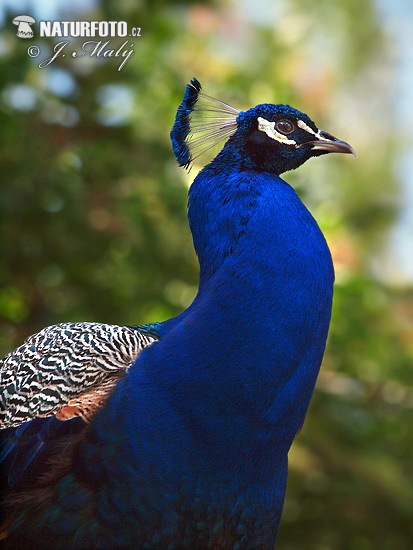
190 451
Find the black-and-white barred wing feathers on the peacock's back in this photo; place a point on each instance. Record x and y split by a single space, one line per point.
57 366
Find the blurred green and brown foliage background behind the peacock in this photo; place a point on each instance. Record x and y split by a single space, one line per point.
94 227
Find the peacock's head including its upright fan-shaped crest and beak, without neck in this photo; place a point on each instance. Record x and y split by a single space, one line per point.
268 138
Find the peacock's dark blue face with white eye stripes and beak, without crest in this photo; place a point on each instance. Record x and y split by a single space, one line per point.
277 138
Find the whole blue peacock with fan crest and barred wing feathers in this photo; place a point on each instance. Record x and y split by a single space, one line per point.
186 445
